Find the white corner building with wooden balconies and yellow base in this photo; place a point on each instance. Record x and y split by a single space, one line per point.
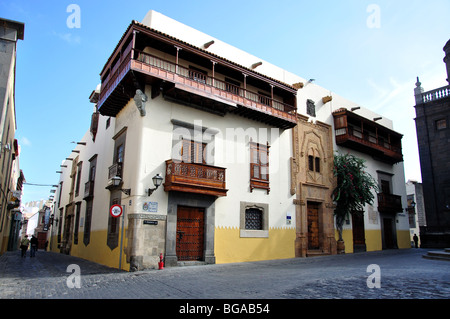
243 149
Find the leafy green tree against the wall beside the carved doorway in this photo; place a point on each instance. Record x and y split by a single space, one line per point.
353 190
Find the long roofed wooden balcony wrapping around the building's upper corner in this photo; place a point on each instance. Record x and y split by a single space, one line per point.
193 77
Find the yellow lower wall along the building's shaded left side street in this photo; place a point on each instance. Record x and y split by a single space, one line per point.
97 250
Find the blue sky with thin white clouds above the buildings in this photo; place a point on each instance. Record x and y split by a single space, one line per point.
330 41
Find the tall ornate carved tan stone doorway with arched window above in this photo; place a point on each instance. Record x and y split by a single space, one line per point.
312 182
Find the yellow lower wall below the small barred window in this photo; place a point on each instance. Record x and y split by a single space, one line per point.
229 247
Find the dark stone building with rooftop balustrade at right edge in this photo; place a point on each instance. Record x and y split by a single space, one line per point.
433 136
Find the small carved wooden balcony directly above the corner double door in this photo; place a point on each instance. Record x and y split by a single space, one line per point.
195 178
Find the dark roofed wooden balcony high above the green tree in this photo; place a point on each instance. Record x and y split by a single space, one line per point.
364 135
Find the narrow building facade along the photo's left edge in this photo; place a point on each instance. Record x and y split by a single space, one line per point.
11 178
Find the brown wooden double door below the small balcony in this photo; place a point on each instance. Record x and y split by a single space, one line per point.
190 233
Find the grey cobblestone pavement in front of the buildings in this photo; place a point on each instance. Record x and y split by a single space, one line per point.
404 274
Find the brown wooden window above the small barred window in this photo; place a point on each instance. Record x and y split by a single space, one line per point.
259 163
